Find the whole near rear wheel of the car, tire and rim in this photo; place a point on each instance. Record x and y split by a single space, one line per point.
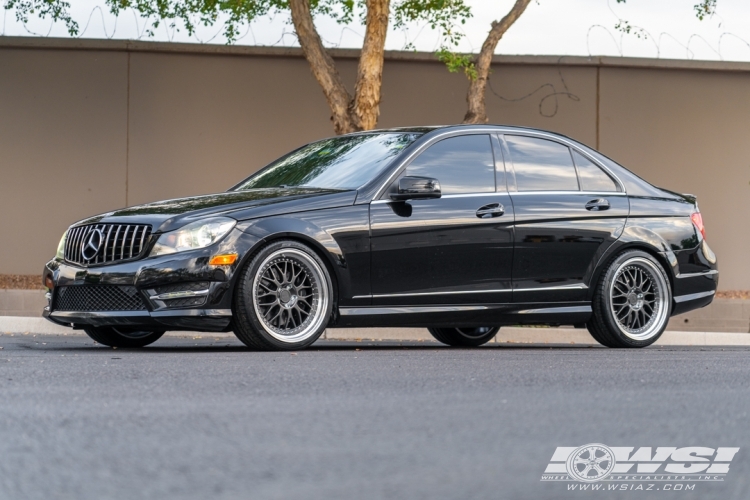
632 302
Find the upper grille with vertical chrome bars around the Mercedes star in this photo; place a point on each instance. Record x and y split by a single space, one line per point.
119 242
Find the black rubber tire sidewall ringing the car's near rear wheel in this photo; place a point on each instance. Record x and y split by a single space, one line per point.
606 312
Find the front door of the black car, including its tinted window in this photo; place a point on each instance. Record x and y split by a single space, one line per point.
456 249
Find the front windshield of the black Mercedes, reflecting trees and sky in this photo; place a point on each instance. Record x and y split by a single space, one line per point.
336 163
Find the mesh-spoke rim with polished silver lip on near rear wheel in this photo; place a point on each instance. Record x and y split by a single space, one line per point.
639 290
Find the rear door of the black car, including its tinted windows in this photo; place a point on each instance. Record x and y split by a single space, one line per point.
568 212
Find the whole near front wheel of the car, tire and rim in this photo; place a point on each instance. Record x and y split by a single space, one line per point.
270 298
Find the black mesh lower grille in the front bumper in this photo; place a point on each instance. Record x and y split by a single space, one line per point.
98 298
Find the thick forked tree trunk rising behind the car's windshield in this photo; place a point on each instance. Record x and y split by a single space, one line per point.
348 114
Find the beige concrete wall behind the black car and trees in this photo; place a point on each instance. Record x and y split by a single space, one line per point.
88 126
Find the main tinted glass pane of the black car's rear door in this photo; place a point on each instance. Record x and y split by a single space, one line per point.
541 165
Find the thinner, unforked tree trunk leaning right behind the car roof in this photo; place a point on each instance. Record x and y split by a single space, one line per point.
475 98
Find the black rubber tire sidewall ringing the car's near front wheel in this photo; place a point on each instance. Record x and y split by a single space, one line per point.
246 297
